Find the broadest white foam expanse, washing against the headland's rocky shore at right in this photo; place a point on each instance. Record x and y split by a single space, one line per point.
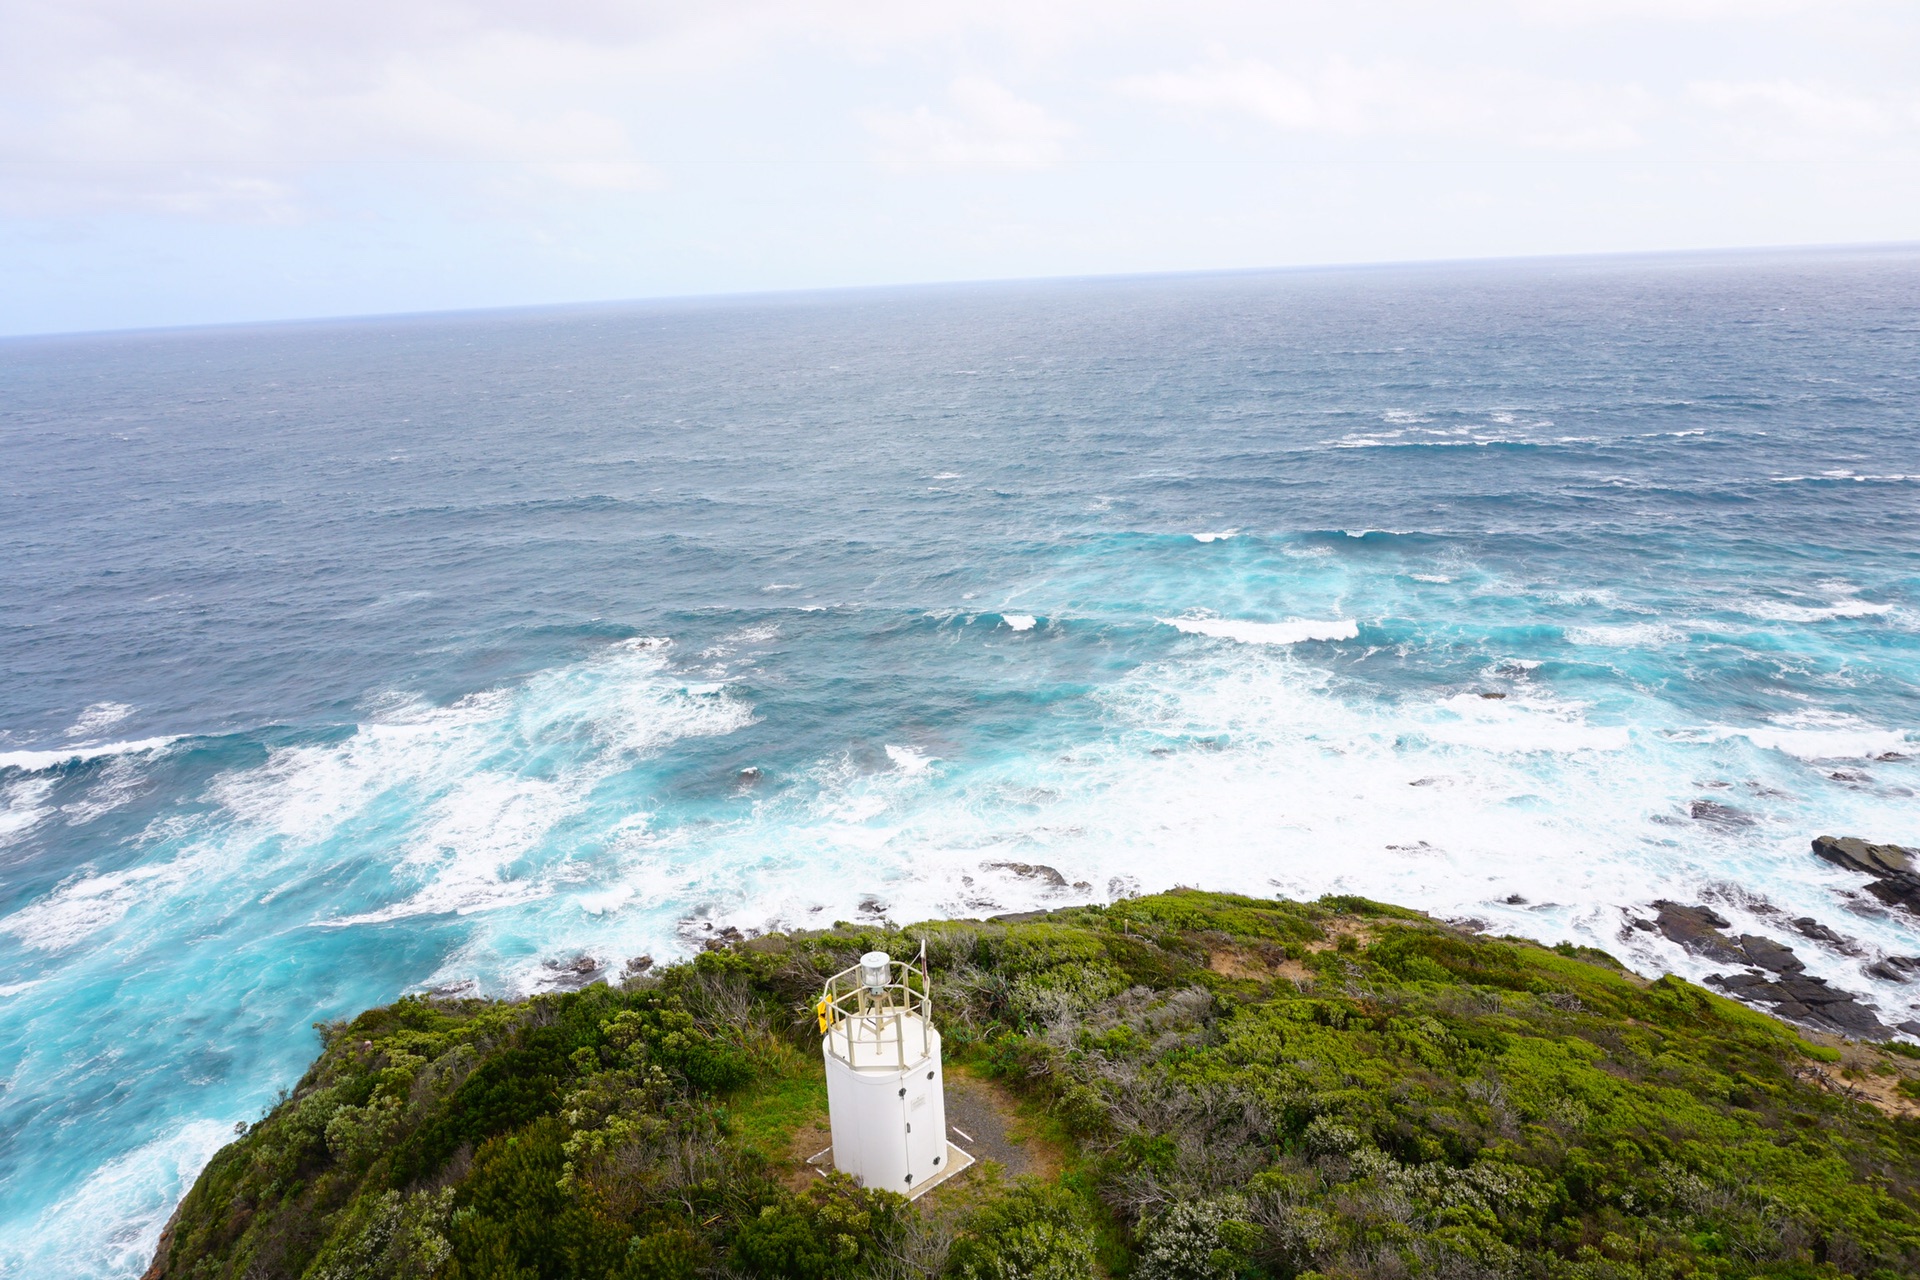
1291 786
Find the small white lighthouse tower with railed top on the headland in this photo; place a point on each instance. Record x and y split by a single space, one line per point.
886 1093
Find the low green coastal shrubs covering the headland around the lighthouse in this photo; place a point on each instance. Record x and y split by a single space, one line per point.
1230 1087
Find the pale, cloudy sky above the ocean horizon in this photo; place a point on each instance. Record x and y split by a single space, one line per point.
229 160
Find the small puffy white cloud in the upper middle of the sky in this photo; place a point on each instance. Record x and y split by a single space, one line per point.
988 126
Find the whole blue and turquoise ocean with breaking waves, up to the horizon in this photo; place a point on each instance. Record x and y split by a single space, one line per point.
352 659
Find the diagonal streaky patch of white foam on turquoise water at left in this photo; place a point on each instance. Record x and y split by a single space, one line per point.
460 801
